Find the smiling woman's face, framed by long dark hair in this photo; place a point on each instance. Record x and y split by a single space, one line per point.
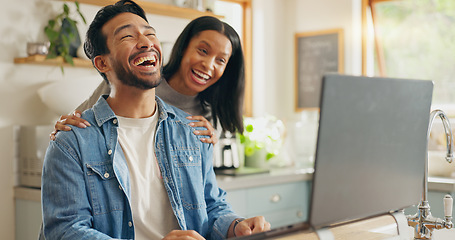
203 63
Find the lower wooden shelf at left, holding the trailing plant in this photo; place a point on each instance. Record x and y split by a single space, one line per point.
41 60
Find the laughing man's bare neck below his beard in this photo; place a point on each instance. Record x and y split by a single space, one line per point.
131 102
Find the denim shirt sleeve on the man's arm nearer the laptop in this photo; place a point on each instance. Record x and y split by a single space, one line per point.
219 211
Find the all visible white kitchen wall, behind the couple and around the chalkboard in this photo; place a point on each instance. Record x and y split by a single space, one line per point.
275 23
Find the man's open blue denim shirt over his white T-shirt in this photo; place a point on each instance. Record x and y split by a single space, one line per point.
85 183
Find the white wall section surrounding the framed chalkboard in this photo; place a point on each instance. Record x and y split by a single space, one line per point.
274 24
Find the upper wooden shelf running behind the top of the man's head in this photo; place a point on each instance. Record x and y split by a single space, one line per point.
157 8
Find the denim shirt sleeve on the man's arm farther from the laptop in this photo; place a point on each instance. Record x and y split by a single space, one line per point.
64 200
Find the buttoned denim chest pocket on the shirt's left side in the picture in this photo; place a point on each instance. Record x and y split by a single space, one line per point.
105 192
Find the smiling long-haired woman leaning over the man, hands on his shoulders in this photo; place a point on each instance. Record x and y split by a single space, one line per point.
204 77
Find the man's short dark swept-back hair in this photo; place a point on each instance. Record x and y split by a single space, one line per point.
95 41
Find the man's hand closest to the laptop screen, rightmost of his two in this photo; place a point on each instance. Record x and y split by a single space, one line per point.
249 226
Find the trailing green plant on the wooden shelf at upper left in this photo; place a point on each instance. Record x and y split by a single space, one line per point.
63 35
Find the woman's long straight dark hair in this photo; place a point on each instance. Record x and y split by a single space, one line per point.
225 97
